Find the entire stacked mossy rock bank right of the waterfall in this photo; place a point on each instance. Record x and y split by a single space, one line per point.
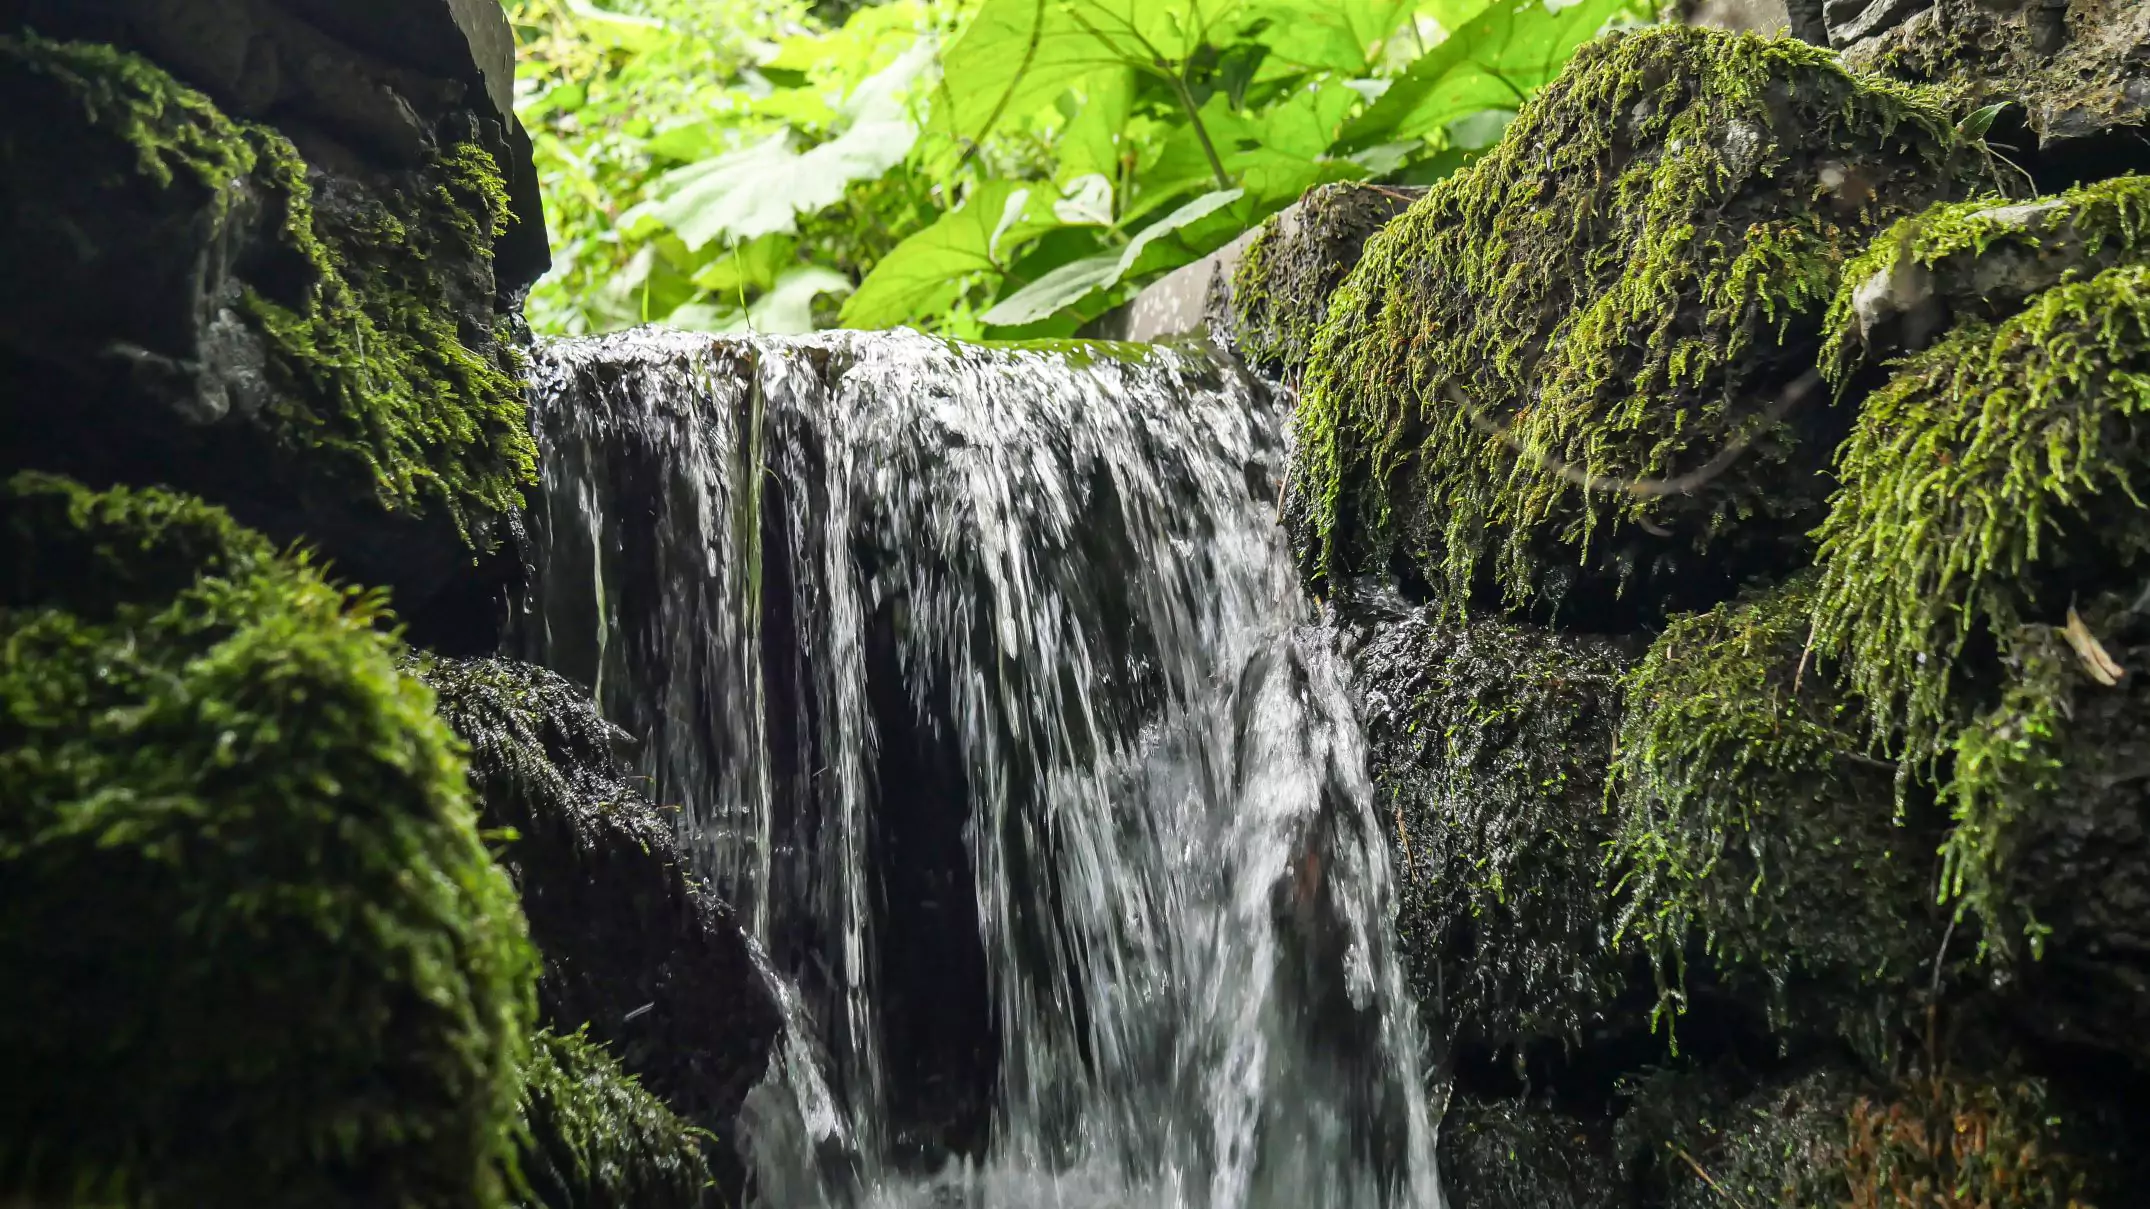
1766 778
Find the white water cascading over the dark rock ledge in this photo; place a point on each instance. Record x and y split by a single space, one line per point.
984 685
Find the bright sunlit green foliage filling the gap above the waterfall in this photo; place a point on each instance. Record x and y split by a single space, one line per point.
979 167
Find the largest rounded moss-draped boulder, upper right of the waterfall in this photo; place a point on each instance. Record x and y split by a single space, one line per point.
1586 362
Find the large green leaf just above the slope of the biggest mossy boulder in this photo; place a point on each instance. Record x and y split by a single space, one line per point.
1497 59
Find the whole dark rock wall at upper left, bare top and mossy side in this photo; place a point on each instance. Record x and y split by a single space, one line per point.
281 264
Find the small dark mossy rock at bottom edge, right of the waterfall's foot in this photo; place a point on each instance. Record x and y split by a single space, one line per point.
1517 1156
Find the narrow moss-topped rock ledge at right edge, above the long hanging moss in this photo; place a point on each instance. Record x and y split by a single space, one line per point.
1979 259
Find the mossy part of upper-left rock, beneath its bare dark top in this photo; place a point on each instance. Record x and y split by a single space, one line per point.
317 352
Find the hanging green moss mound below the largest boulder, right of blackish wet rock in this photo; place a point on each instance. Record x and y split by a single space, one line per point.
1749 814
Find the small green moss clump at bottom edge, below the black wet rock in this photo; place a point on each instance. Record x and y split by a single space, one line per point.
594 1137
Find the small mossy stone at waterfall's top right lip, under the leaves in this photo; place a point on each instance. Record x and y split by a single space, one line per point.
1282 287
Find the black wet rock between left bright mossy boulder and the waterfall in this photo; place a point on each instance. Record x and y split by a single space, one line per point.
633 945
